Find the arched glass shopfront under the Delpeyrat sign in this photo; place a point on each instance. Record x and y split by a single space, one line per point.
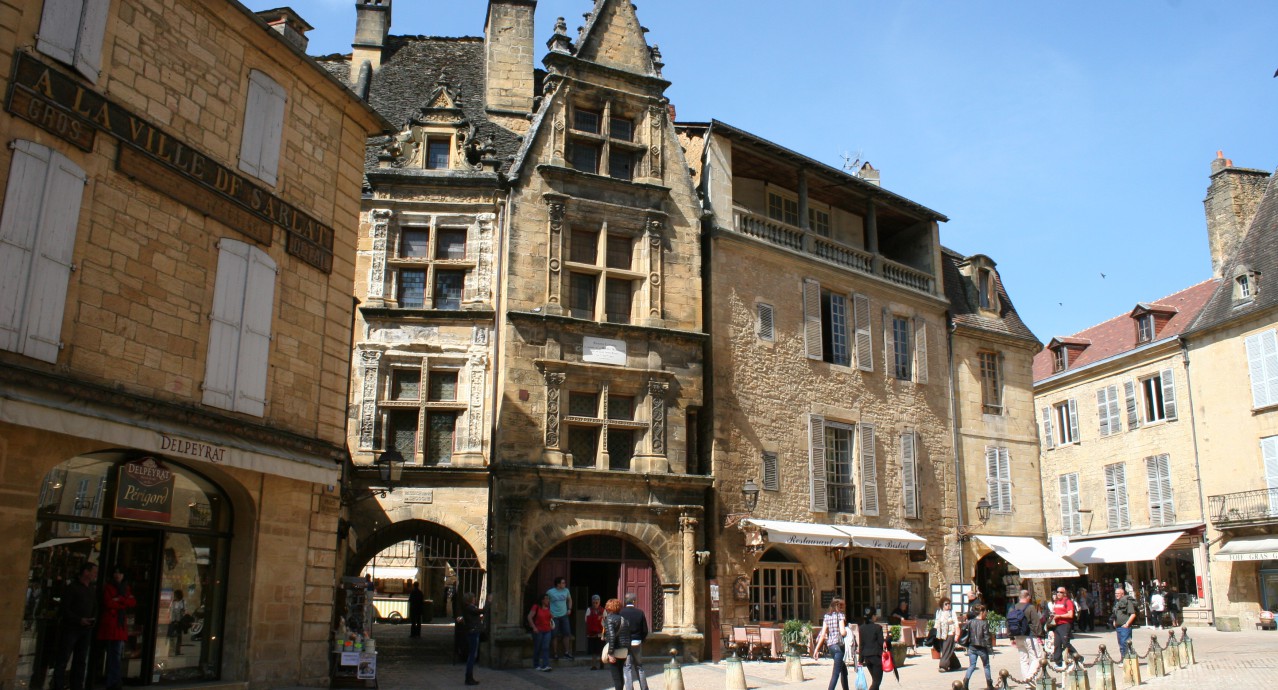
168 528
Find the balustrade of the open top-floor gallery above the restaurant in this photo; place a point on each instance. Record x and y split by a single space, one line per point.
853 259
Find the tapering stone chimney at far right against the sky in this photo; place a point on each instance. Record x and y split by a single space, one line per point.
1231 203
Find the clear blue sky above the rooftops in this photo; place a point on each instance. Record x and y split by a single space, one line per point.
1064 139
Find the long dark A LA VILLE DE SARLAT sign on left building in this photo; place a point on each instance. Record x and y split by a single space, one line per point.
61 105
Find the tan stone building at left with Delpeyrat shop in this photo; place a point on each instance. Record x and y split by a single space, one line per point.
177 249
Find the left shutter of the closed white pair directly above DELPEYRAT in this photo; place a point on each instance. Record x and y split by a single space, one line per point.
226 324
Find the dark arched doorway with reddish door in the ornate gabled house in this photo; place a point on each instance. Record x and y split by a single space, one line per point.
604 565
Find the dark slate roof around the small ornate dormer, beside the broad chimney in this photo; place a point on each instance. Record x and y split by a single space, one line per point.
411 68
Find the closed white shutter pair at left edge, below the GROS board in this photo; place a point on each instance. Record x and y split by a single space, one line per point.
38 242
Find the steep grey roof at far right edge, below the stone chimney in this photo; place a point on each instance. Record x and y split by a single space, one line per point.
1258 252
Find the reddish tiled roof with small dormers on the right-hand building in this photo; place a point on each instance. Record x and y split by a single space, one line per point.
1119 334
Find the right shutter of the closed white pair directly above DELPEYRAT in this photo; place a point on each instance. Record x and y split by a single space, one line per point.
255 352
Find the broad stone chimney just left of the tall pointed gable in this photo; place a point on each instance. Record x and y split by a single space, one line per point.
509 56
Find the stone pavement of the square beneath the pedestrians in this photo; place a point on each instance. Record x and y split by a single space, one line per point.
1226 660
